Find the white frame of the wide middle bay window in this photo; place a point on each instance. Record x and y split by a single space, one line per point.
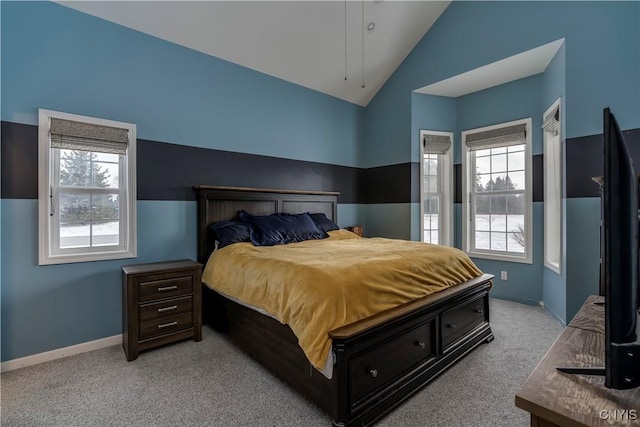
468 226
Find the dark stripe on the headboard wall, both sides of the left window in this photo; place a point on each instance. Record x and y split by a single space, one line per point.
169 171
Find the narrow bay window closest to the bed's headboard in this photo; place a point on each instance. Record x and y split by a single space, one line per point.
436 170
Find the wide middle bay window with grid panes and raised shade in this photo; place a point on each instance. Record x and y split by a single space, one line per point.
497 213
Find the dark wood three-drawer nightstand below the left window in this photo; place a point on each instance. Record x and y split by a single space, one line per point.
161 304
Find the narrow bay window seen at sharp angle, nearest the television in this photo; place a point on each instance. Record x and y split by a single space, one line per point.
552 188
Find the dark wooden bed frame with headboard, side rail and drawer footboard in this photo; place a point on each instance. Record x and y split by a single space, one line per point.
380 361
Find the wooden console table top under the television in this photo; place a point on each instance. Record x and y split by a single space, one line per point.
557 399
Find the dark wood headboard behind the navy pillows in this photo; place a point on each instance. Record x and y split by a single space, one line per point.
223 203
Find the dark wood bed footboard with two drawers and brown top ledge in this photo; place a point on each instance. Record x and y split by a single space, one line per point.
383 361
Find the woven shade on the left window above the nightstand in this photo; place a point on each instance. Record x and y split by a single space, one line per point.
71 135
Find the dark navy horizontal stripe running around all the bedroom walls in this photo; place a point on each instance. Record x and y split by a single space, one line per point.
168 171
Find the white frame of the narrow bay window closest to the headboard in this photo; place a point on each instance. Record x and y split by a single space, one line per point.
445 173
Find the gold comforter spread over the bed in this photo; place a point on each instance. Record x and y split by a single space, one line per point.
319 285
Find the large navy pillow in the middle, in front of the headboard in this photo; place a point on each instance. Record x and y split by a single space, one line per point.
278 229
